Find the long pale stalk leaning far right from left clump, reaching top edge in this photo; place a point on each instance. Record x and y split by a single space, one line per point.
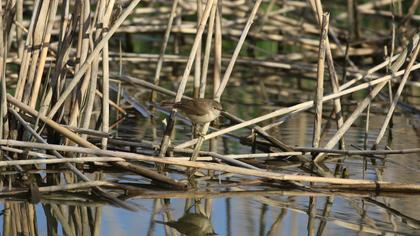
86 65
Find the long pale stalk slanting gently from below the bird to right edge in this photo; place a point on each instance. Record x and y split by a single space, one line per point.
300 106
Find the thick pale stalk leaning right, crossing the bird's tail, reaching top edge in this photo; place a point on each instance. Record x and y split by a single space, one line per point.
183 83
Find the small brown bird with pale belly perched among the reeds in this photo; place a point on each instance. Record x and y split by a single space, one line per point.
199 111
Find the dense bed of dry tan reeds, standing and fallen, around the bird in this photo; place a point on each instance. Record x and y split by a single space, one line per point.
71 72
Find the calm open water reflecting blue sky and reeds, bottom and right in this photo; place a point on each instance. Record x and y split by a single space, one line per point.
286 213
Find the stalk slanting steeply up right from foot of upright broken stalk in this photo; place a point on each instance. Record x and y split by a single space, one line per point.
362 105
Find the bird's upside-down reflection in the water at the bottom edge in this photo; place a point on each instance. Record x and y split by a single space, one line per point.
192 224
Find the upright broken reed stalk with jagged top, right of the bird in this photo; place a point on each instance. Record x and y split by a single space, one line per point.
320 82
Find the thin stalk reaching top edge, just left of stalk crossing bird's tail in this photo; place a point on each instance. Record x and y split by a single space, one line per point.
163 49
